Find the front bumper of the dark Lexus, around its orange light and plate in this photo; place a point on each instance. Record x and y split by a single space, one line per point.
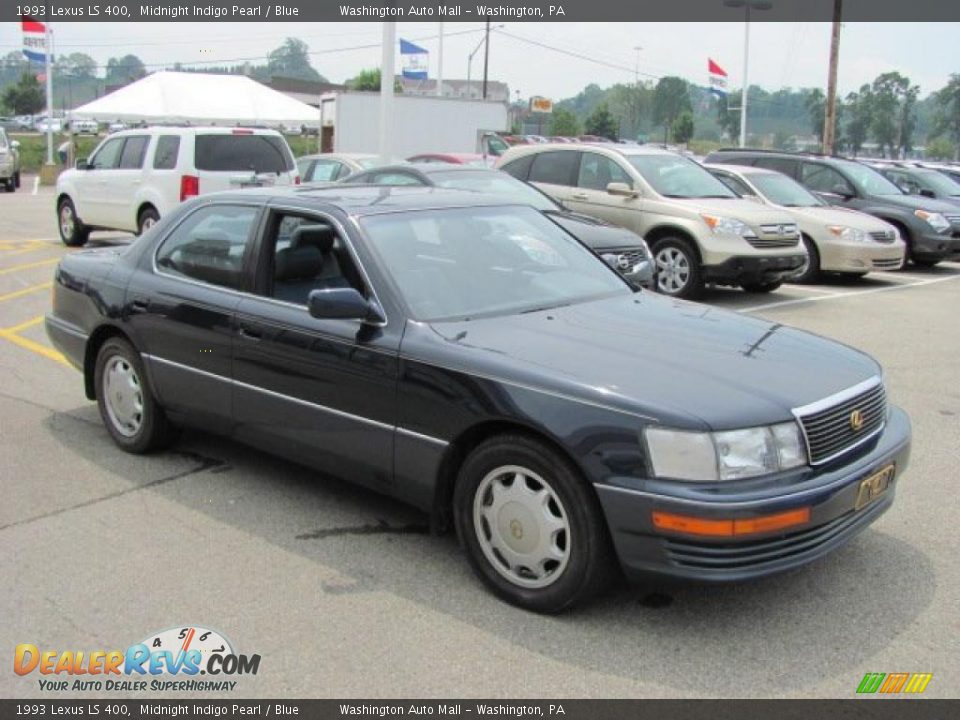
643 550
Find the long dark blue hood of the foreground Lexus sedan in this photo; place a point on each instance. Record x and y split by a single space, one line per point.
683 364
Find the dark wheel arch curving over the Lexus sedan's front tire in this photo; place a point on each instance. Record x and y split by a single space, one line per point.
441 518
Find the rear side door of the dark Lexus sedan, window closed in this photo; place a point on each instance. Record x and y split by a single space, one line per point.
181 306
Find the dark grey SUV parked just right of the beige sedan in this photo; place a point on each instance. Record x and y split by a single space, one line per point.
931 228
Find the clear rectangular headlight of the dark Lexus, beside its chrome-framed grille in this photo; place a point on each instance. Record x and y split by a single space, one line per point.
729 455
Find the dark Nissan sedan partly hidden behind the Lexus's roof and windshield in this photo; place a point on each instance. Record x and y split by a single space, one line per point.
624 250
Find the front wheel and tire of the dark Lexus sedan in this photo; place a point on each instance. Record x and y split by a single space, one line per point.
532 529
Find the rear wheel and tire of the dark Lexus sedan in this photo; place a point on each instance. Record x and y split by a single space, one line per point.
132 416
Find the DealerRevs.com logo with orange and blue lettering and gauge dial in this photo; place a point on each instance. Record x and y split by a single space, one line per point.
171 661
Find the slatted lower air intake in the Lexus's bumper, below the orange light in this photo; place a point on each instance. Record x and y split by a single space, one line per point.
730 556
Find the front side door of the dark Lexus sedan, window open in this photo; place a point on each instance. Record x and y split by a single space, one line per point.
321 391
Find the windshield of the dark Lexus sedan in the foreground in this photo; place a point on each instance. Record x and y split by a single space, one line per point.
466 263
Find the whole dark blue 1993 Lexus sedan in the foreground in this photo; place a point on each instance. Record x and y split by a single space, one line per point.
469 357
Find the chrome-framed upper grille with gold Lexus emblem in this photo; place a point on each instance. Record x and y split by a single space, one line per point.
830 432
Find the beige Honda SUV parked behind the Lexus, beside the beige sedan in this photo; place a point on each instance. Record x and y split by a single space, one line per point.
698 229
